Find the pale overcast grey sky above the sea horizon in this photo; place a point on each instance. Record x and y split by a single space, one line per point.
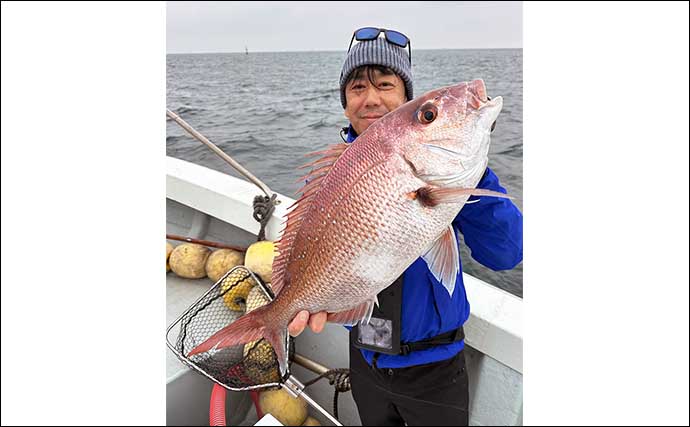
195 27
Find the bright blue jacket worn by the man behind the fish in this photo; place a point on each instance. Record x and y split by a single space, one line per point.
492 228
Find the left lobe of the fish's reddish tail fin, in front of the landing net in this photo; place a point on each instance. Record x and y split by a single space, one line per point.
250 327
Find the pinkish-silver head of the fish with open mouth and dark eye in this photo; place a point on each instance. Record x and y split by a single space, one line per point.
445 133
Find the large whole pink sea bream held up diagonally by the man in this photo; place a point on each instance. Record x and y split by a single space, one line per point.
371 208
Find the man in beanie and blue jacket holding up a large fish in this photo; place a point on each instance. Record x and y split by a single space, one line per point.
417 375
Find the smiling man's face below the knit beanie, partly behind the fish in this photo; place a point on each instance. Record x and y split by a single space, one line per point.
367 103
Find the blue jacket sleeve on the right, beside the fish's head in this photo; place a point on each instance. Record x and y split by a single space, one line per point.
492 227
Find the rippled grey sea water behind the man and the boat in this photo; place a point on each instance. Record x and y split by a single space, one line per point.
266 110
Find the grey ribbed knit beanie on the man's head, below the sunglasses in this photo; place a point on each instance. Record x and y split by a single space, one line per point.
377 52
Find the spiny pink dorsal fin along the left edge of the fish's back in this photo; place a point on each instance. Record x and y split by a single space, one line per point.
298 211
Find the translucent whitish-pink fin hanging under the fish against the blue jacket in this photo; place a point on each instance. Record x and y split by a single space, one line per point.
443 259
